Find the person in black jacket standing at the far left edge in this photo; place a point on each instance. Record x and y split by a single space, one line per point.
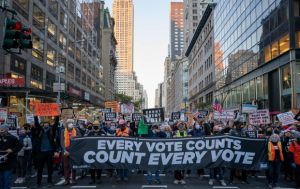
9 147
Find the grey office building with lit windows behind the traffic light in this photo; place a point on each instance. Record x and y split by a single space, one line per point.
57 26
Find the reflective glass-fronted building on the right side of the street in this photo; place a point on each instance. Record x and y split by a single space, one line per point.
257 47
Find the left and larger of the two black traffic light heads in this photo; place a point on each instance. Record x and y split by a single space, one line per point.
12 34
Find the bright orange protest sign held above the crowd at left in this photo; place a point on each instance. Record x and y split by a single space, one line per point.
47 109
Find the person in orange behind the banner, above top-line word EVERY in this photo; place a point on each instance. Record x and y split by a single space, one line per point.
122 131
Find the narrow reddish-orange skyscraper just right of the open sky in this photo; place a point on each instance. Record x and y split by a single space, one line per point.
176 29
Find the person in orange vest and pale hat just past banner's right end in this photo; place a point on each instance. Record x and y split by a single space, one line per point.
275 157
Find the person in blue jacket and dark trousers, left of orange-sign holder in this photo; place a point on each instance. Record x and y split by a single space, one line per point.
21 158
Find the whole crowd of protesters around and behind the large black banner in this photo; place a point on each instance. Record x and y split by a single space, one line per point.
42 145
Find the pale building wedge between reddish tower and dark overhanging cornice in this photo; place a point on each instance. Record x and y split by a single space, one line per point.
193 12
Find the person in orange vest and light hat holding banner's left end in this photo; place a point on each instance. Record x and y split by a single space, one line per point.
68 133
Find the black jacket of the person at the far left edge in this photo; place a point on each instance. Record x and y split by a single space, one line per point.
9 142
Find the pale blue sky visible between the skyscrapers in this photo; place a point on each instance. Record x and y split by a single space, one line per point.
151 39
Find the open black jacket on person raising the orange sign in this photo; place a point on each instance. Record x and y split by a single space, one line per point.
37 135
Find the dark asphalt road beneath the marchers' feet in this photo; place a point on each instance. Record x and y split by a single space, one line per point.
138 181
